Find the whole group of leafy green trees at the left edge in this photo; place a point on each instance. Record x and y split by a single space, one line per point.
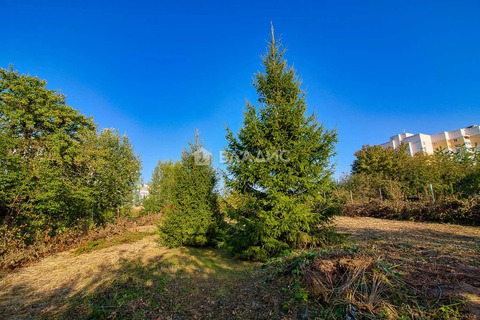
57 170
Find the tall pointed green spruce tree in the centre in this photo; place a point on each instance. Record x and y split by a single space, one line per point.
279 165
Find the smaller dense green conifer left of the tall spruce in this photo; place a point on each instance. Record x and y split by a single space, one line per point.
192 217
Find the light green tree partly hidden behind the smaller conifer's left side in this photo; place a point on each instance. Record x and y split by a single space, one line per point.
161 186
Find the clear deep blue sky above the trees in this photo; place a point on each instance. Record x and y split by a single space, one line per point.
160 70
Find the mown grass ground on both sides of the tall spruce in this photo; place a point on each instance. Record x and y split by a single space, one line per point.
134 277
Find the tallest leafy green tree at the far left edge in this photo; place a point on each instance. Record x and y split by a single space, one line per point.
43 173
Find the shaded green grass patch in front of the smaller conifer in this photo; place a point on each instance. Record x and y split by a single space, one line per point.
196 284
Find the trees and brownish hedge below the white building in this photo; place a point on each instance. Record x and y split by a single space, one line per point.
389 183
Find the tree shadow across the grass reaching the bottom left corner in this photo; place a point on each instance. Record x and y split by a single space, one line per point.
181 283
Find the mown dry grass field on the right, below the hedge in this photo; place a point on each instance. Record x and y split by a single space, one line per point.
437 260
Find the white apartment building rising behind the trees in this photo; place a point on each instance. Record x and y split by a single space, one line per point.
447 140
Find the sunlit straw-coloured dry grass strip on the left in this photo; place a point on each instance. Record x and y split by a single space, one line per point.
44 287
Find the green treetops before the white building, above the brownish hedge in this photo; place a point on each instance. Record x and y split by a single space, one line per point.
399 175
